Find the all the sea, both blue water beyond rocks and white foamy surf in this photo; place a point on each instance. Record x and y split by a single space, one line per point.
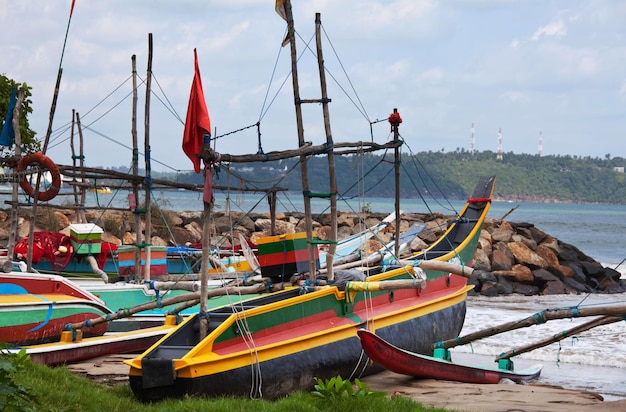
591 361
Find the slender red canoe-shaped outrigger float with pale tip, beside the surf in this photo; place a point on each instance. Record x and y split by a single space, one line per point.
417 365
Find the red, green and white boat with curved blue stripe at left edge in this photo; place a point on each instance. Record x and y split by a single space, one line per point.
28 317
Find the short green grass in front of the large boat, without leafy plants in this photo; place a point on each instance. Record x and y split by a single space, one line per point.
59 389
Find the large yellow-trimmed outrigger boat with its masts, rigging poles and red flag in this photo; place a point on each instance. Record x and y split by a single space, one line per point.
280 342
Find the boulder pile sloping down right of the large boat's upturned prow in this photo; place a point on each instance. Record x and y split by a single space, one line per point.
519 258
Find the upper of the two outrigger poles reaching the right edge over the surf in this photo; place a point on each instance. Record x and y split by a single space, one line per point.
535 319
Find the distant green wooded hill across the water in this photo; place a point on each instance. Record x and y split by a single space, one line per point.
452 175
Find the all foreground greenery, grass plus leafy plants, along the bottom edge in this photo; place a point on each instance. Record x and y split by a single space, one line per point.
25 386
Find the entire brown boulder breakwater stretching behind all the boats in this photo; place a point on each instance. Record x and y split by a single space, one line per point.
511 257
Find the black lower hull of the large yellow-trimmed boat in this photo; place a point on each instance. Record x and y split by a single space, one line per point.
278 377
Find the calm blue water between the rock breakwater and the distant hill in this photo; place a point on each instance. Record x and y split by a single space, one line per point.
596 229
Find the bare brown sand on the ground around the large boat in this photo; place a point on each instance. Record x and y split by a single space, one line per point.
509 397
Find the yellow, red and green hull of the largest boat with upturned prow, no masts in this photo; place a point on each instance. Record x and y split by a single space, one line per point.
279 343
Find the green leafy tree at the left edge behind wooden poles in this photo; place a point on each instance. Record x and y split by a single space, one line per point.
29 143
